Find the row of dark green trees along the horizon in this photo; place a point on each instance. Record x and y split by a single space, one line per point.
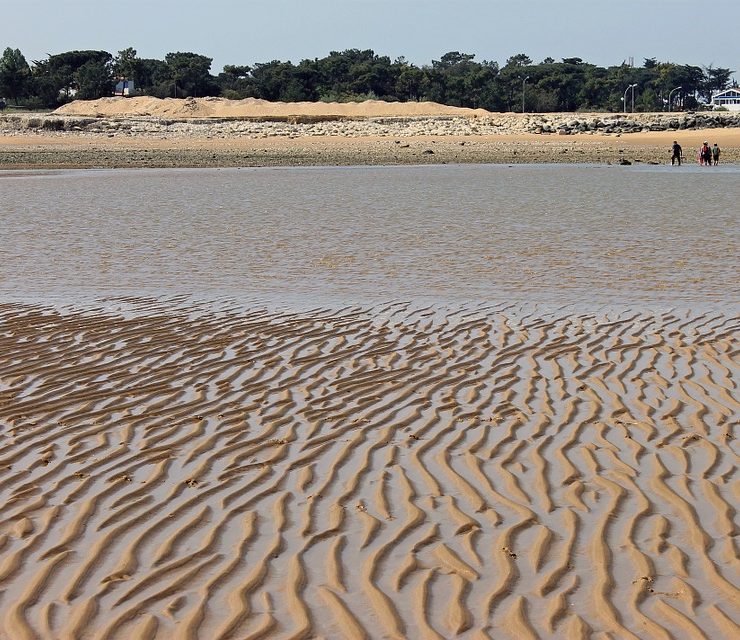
455 79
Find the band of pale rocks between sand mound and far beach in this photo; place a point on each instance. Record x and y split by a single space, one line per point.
297 126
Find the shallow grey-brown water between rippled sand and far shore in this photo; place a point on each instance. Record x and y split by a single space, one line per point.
547 232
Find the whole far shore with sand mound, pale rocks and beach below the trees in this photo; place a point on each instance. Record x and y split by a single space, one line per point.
147 132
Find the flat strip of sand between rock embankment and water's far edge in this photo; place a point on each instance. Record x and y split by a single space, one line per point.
53 151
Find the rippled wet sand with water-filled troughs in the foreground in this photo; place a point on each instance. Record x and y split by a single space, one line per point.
174 471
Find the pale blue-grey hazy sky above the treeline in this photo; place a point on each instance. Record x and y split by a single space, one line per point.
603 32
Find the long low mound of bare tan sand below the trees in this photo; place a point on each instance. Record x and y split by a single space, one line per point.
253 108
